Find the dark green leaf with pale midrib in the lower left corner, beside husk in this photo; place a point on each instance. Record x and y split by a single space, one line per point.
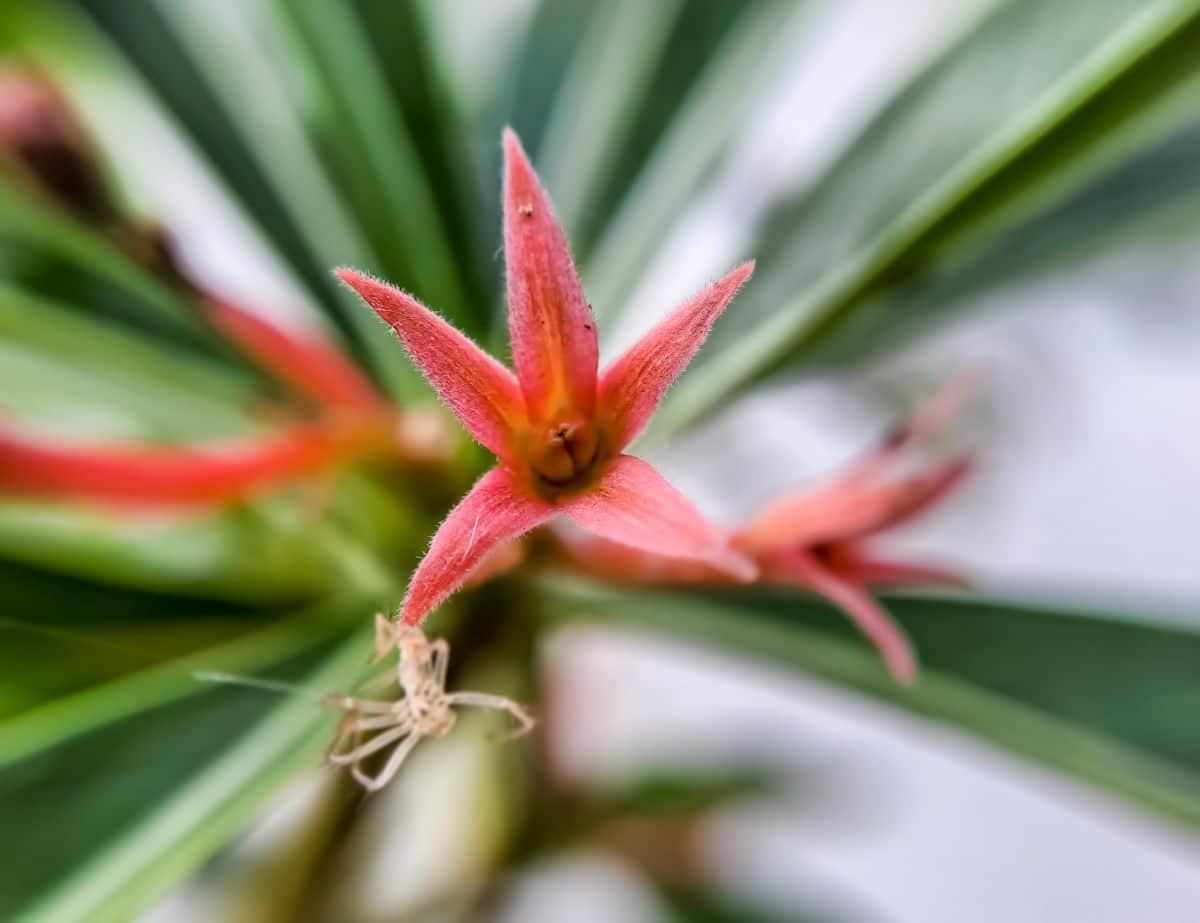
104 823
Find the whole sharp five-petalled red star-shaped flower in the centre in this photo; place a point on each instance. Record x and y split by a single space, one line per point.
557 427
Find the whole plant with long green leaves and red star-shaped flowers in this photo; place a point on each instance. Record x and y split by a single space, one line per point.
187 487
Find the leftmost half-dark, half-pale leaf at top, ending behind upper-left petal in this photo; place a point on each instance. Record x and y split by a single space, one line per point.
259 147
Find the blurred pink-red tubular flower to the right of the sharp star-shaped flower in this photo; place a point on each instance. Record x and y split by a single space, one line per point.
819 538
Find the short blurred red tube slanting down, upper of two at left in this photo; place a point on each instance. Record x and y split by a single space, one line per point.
310 364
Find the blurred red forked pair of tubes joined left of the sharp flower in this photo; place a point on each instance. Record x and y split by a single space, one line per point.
353 422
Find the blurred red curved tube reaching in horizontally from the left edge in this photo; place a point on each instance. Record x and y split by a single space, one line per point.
148 477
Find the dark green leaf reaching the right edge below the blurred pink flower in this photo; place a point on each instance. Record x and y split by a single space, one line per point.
1106 699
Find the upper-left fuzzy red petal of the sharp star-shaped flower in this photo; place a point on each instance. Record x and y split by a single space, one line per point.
483 394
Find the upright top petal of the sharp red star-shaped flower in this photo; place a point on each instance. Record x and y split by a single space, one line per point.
551 328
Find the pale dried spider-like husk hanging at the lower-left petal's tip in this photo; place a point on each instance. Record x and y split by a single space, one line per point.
424 710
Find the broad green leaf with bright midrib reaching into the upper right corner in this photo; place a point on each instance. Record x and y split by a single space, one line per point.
967 153
